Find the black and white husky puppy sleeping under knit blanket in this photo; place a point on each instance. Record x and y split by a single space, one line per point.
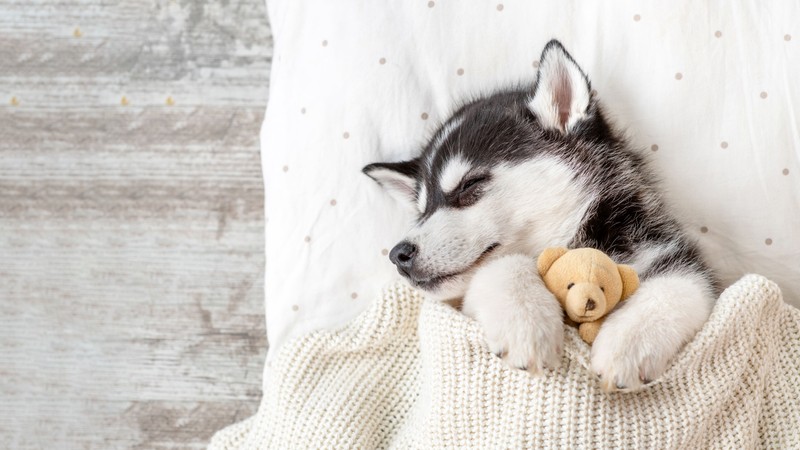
521 170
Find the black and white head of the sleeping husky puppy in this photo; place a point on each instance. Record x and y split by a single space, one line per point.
474 187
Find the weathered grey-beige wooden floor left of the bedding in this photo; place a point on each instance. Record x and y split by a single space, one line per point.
131 220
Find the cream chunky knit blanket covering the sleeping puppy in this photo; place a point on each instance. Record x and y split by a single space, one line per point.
411 373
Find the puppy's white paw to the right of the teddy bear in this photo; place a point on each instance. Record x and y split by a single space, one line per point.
637 342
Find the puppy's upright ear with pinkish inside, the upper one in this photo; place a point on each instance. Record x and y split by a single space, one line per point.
562 92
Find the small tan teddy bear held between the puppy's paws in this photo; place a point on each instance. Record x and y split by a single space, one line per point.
587 283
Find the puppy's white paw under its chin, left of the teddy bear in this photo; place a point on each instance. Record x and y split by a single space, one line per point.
521 319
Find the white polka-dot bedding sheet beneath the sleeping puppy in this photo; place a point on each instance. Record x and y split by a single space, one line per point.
709 90
